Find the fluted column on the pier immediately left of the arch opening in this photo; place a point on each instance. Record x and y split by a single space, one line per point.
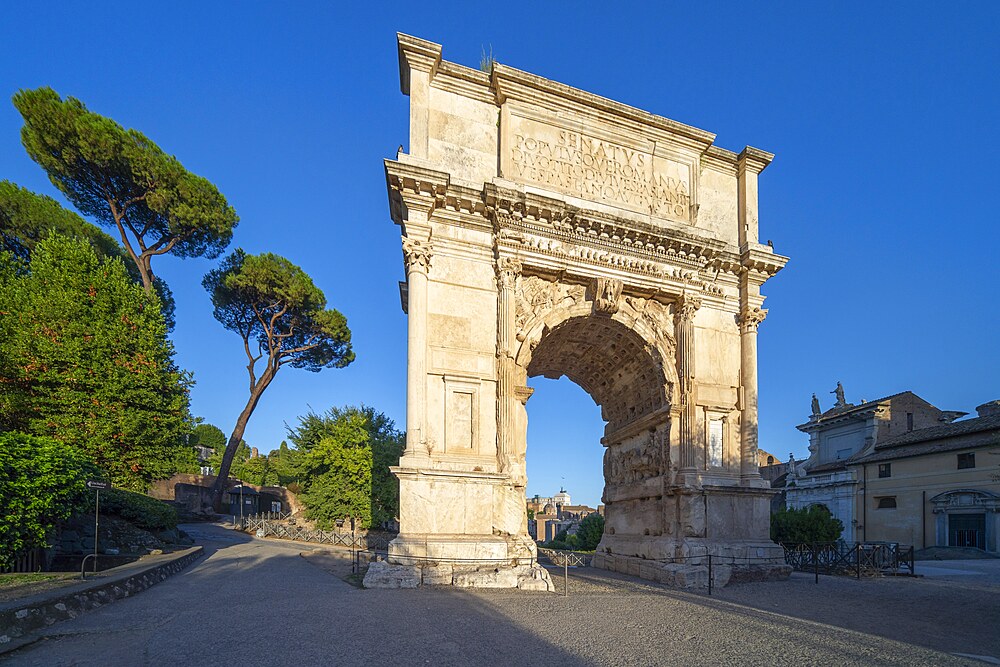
508 270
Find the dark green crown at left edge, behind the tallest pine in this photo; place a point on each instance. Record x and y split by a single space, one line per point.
26 218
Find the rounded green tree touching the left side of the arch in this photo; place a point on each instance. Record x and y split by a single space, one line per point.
344 459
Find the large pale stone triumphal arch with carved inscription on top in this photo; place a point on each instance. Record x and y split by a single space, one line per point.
549 231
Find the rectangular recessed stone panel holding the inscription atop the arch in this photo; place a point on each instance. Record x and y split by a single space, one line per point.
598 169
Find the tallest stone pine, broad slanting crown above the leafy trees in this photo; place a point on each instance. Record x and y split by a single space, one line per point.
125 181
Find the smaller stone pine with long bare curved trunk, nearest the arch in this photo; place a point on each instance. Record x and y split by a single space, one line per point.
282 318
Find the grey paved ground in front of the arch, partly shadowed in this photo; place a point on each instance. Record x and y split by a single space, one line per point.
256 602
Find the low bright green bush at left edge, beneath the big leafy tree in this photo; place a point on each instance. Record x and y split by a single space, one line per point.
41 483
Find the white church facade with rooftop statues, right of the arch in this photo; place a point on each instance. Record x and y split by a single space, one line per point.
845 433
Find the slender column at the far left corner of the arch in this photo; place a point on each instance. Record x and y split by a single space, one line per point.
418 257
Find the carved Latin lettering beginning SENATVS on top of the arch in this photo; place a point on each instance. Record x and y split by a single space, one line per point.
602 171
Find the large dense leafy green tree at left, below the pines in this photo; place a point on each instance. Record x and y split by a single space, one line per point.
85 360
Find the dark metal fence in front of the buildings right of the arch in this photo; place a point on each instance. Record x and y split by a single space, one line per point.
859 558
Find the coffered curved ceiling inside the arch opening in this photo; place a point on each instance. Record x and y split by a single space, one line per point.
610 361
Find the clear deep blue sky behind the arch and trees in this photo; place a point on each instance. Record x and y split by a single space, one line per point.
883 116
